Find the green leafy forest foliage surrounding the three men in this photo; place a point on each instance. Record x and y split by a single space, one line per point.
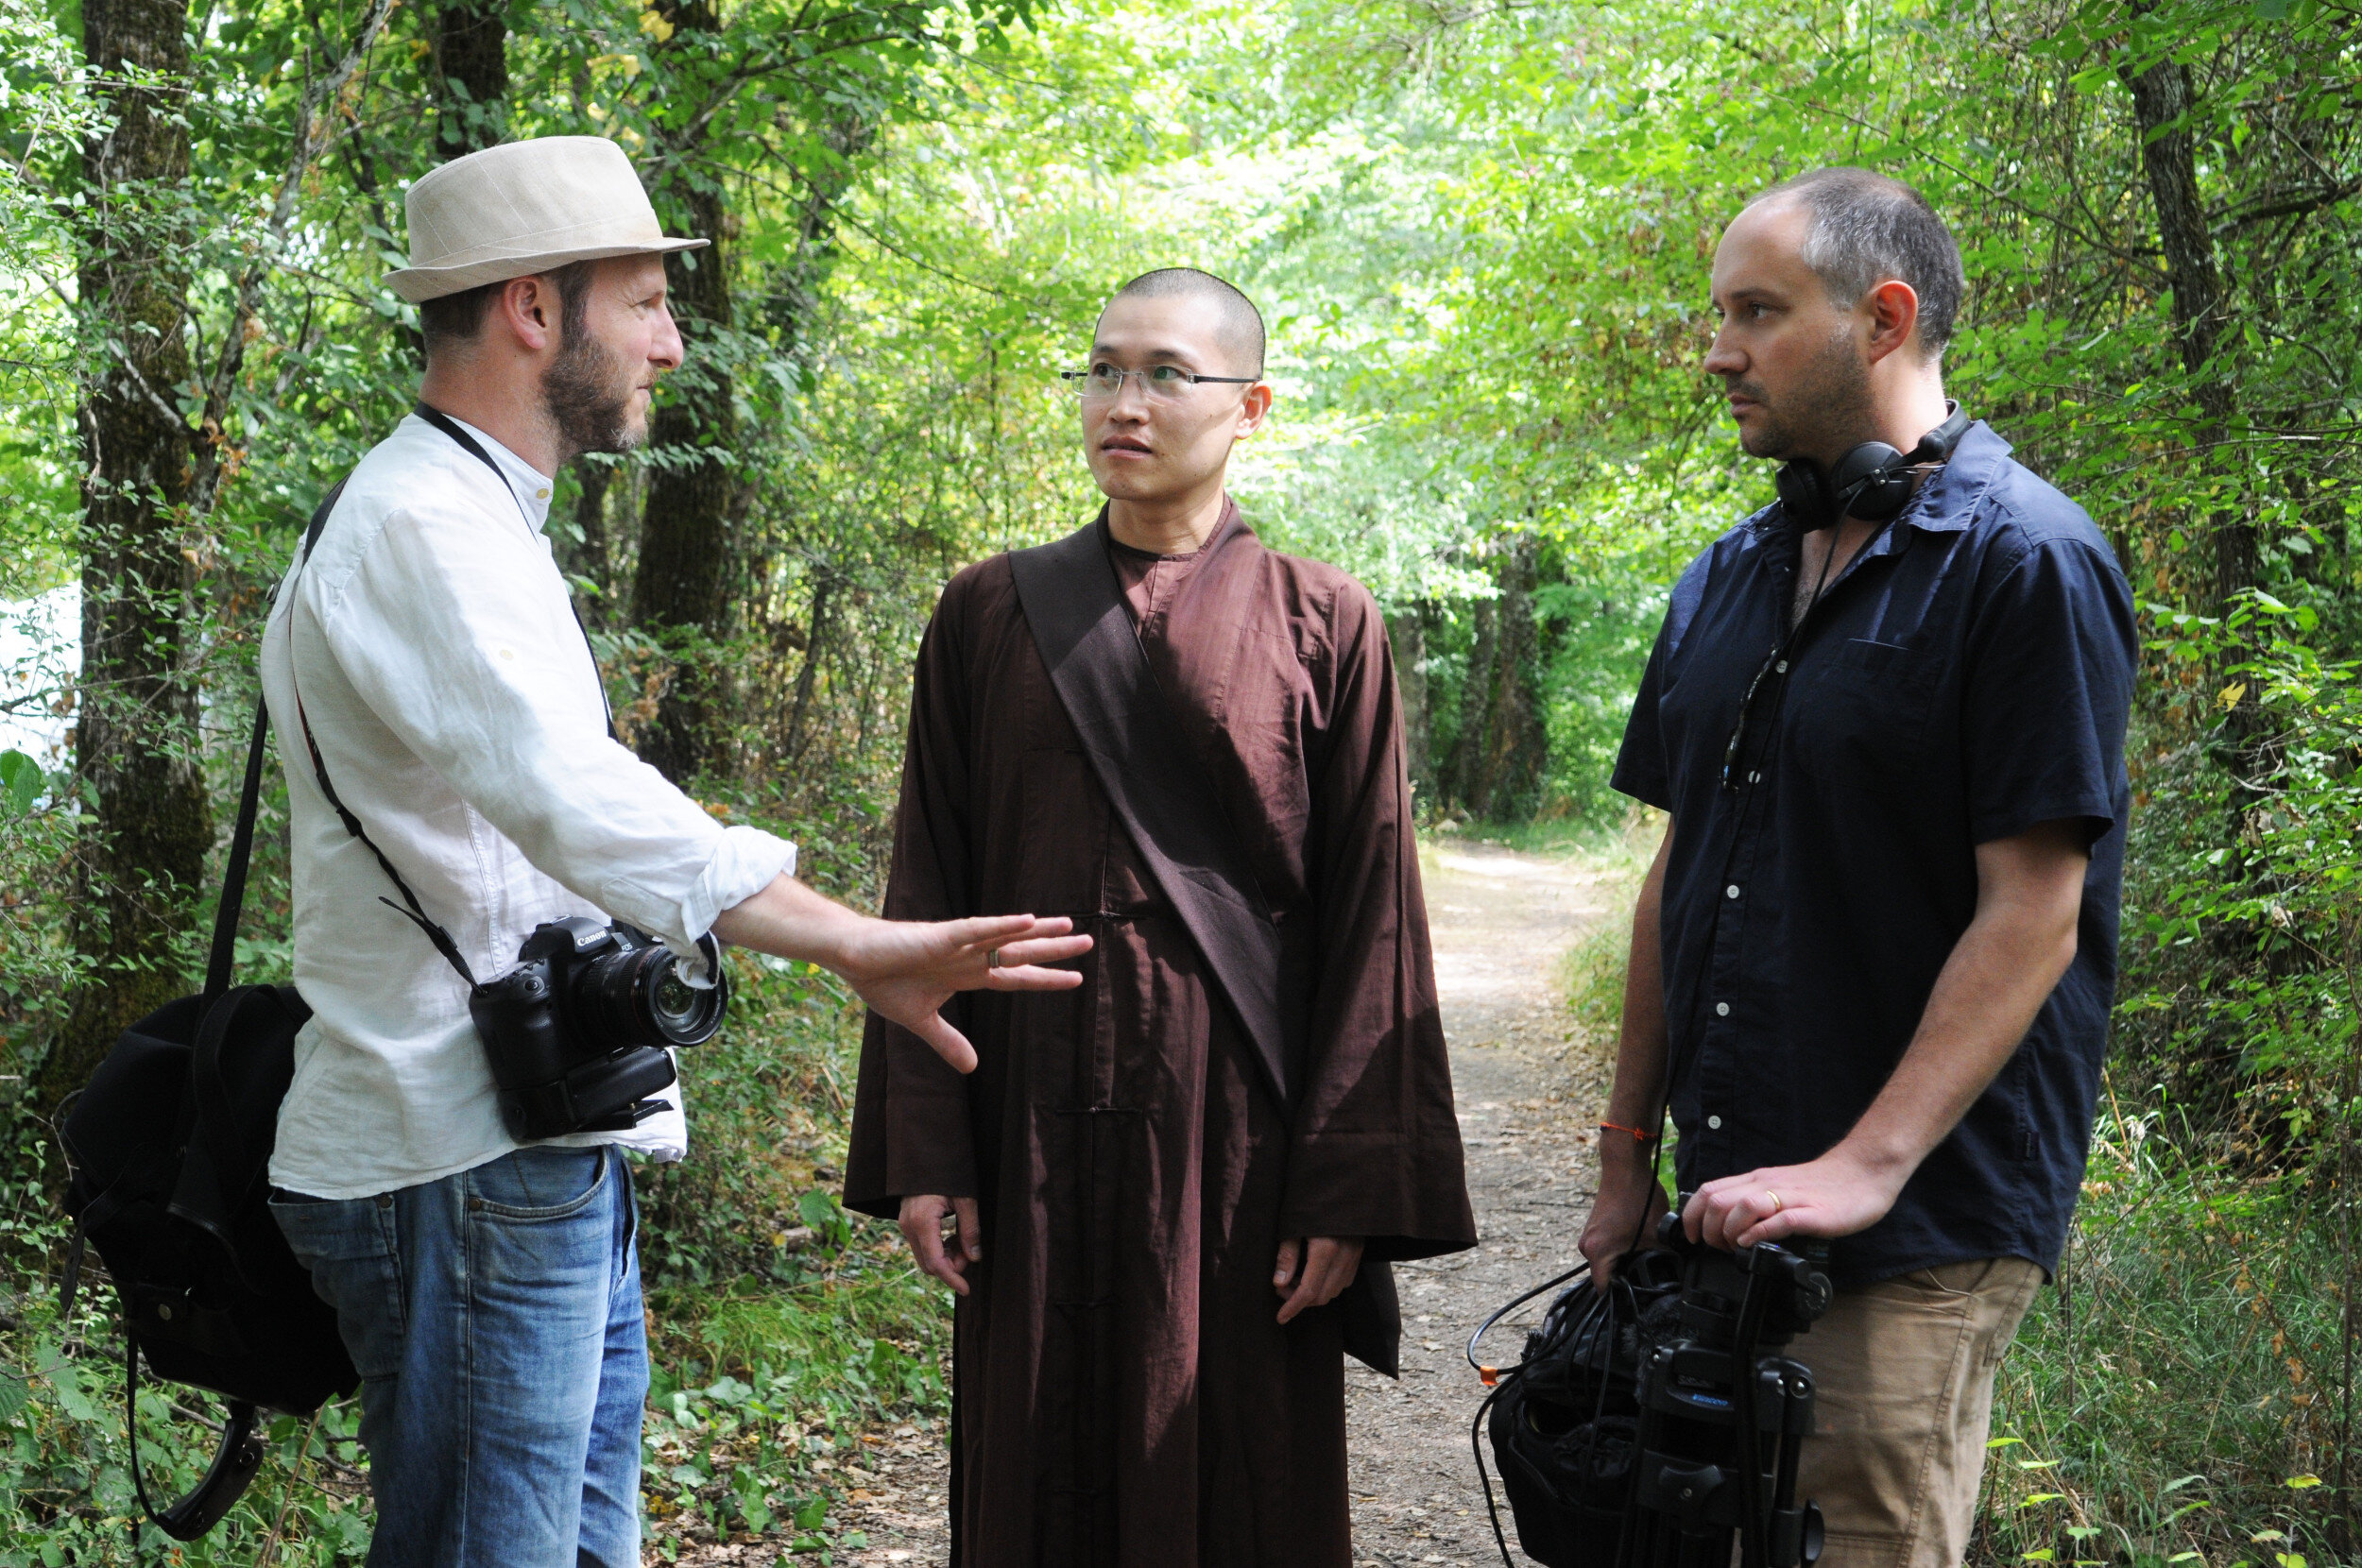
1482 242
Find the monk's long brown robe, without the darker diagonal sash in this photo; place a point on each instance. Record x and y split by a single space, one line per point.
1125 1394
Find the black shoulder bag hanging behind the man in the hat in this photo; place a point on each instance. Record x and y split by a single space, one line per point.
169 1149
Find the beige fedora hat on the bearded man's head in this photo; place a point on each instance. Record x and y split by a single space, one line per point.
526 207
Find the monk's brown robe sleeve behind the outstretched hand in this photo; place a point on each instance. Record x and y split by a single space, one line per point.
911 1111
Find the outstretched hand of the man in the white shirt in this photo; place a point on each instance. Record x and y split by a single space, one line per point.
906 972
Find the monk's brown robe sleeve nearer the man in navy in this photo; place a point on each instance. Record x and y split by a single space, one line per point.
1376 1142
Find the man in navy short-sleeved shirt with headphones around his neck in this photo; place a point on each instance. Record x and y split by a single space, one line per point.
1874 958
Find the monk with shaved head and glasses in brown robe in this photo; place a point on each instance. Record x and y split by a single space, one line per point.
1173 1194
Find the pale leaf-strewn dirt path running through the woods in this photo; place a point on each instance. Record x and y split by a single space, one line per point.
1527 1111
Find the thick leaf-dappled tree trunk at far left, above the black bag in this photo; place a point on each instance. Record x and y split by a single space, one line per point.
136 740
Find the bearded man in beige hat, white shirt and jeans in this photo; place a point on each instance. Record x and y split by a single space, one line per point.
483 1043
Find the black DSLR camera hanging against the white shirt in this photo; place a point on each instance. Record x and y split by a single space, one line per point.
580 1033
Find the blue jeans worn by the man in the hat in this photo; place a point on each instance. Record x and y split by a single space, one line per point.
497 1326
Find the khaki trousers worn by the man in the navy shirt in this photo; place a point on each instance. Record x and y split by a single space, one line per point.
1903 1406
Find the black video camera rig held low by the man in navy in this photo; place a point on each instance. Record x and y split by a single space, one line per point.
1657 1420
